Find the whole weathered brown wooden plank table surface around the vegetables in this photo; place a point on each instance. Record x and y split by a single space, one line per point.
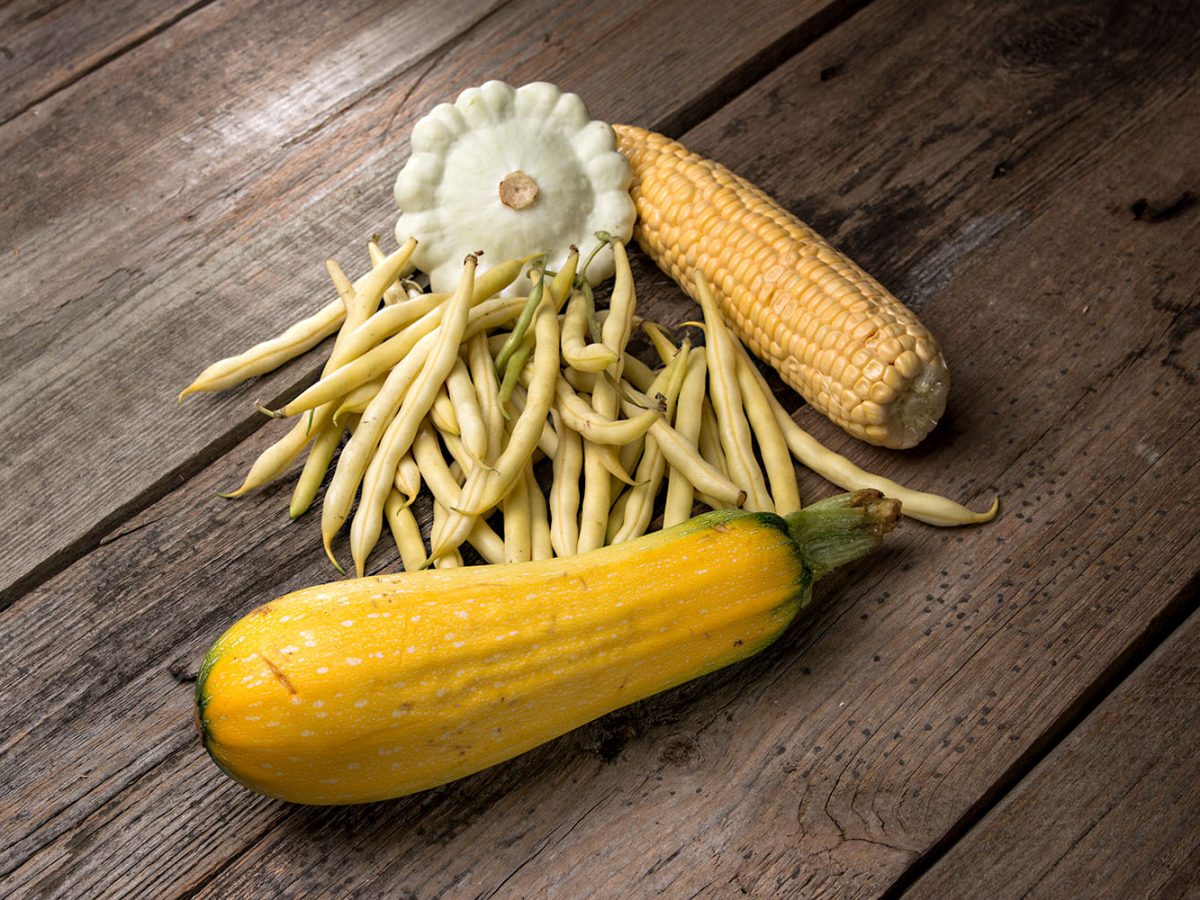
1001 711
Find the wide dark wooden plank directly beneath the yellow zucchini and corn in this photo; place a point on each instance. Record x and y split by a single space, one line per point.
831 763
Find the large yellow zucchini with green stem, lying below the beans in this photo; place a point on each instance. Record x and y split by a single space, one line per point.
376 688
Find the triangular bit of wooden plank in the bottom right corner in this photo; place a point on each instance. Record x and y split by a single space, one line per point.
1113 812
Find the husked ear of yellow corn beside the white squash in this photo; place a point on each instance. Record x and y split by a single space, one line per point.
835 334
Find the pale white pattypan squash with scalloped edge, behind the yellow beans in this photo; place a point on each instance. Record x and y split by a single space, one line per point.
512 172
